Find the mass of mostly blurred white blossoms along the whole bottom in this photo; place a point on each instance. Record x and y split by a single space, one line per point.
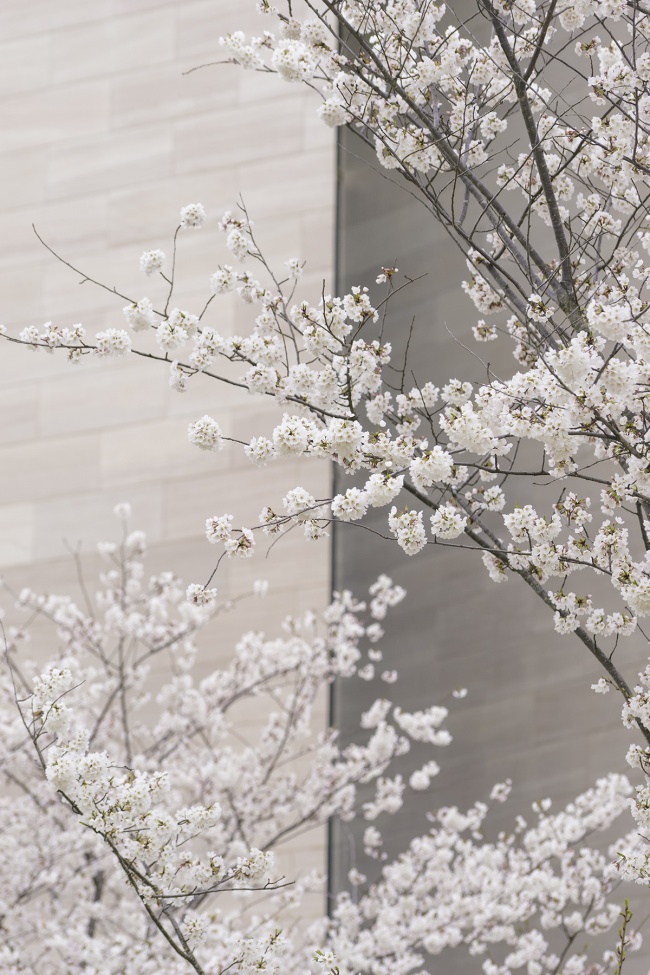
134 817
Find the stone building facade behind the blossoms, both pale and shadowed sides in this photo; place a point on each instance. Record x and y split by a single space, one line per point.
105 137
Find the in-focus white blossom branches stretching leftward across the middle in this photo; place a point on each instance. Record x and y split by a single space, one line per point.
580 403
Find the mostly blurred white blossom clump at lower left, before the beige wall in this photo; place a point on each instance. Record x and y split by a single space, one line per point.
112 789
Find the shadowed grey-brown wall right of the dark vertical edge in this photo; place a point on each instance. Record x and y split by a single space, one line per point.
530 714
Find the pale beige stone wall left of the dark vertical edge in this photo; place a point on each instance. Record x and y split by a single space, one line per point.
103 140
